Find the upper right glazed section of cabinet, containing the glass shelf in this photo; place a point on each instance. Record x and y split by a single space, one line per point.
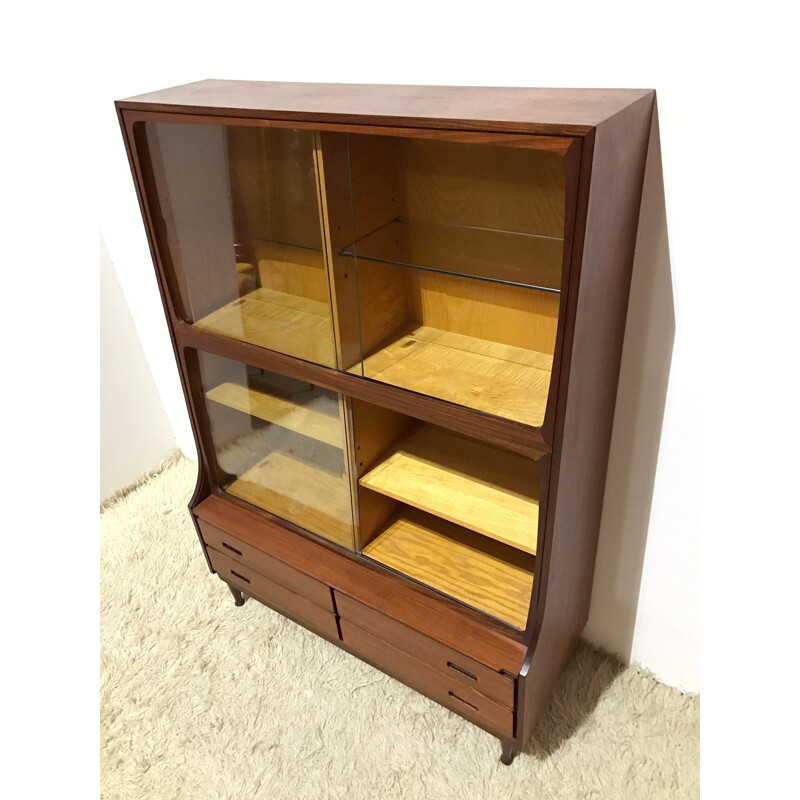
458 252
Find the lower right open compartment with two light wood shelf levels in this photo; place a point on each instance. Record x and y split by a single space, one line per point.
450 512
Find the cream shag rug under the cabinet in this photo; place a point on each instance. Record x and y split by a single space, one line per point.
200 699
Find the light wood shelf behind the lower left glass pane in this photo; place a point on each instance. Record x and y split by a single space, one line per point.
294 417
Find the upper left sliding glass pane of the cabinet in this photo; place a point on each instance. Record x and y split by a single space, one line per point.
237 213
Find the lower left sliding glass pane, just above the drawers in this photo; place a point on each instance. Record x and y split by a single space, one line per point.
279 444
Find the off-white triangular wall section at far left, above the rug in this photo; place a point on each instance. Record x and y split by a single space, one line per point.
135 435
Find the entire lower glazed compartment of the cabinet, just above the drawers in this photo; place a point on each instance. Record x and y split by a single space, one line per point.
453 513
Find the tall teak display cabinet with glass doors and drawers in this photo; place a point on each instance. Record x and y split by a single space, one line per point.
398 316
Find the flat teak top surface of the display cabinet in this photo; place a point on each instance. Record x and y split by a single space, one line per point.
551 111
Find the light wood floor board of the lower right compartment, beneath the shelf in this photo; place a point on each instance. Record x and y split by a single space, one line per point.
479 572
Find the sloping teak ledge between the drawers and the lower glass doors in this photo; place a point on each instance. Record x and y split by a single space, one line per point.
468 632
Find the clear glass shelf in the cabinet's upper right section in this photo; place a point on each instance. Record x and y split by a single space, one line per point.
517 259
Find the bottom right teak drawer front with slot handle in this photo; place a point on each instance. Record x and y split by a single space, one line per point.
437 685
